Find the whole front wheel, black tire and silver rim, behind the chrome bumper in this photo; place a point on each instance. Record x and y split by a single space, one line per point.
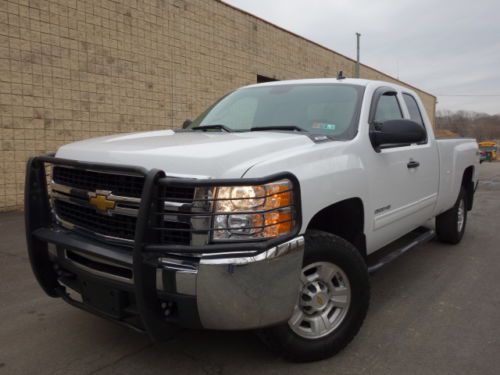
332 302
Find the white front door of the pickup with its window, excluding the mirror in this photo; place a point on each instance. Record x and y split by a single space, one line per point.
404 180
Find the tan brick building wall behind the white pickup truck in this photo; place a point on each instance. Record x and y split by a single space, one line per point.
72 69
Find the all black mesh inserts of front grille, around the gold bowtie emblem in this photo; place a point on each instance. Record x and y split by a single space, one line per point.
116 226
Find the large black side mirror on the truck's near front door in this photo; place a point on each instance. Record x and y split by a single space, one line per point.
396 133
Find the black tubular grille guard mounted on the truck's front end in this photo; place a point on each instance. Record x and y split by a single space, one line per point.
147 247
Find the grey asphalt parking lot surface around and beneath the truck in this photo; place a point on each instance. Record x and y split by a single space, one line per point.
435 310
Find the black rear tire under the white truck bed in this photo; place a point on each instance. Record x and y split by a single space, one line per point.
447 223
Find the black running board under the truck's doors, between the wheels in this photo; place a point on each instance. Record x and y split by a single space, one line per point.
418 237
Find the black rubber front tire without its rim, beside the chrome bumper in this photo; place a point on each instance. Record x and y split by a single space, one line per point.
325 247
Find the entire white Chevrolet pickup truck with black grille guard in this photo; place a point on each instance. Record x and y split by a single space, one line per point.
266 212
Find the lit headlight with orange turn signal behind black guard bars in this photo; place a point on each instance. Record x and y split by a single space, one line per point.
253 212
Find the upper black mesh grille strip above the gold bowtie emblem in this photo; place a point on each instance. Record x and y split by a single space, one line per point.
122 185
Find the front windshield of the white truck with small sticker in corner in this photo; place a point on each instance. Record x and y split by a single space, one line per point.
329 109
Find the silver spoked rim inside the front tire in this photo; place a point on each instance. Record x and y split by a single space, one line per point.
324 300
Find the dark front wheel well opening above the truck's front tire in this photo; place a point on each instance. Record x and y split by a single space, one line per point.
350 226
